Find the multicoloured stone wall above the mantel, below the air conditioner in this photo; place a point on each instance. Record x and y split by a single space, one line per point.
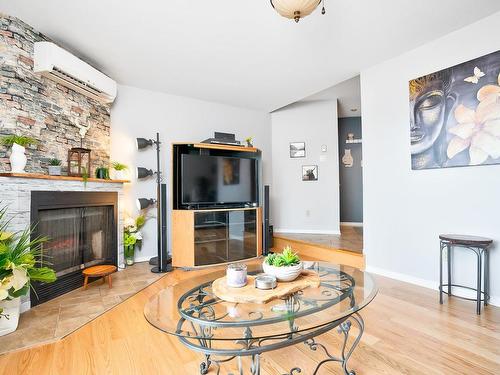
35 106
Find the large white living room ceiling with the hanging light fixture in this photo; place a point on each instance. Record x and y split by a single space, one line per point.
241 52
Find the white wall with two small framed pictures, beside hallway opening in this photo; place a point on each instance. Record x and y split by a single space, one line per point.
305 206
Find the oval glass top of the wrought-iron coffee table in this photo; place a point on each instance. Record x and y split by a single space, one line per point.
190 308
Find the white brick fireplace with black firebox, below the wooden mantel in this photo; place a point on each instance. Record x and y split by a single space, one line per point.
78 202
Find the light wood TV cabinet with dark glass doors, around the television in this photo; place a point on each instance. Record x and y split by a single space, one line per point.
203 237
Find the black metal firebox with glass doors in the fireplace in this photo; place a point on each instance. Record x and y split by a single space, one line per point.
81 228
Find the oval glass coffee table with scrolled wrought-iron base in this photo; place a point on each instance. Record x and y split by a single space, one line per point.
223 331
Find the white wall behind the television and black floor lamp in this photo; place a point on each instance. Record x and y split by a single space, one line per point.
142 113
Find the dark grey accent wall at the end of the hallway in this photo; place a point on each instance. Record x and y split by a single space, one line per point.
351 179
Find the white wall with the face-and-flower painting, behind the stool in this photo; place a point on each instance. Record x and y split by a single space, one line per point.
405 210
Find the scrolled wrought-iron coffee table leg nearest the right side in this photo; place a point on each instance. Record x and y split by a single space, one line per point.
345 353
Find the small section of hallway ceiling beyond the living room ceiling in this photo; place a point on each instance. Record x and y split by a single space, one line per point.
348 95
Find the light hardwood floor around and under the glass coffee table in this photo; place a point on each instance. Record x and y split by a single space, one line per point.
407 332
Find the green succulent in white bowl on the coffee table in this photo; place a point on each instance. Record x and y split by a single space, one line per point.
285 266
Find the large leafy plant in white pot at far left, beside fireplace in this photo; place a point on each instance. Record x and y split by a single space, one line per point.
19 259
